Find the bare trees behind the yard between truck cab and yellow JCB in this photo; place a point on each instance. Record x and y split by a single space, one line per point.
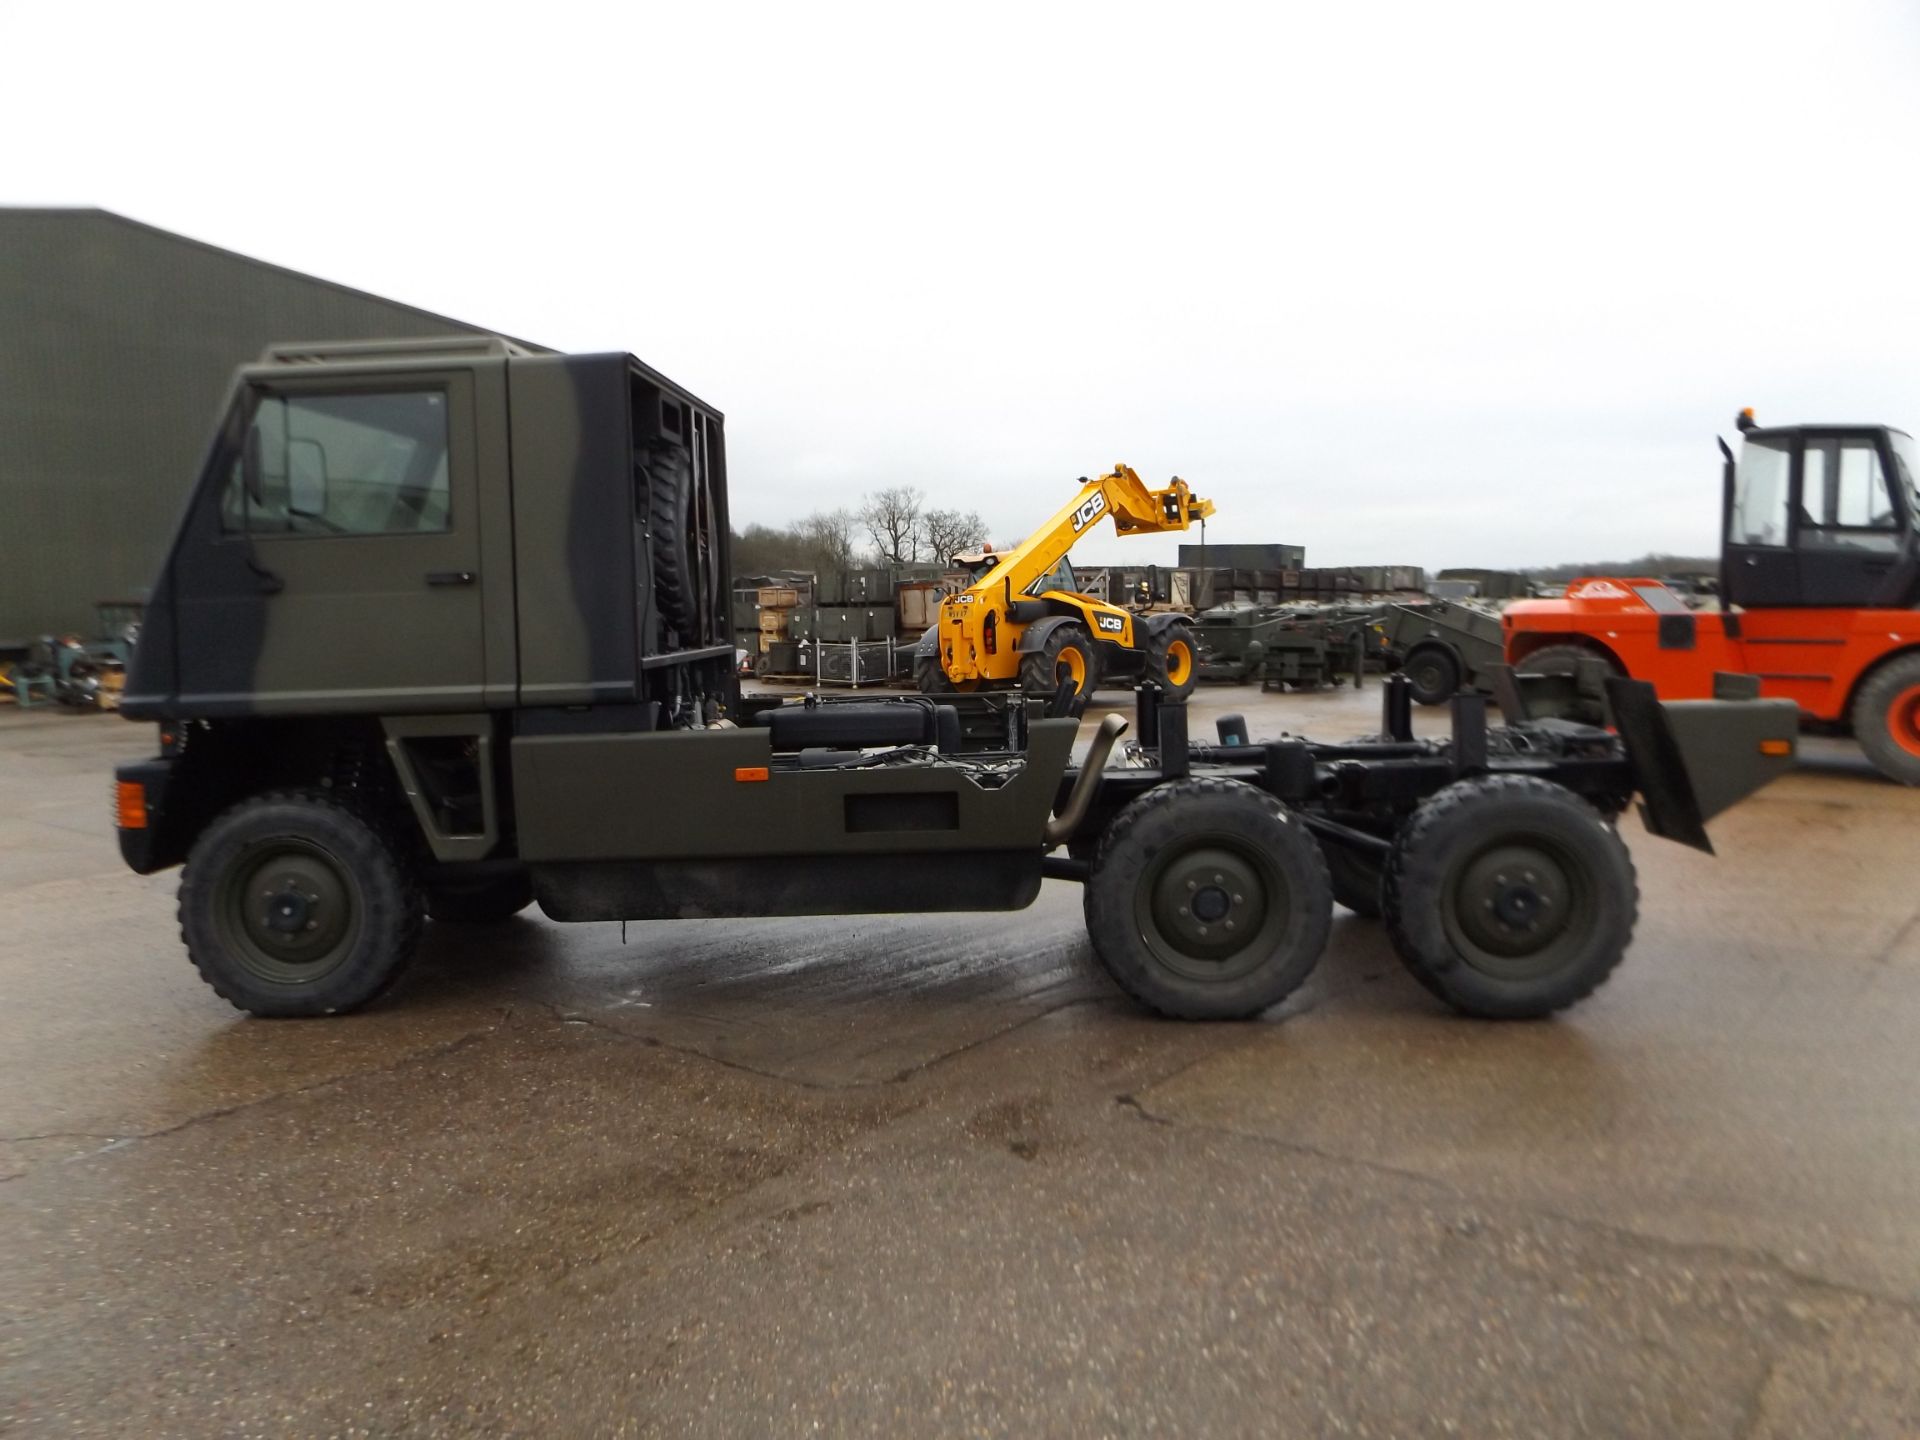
890 527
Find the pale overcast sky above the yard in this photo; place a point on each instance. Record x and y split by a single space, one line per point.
1431 283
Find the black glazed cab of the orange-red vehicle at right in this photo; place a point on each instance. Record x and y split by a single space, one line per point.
1821 516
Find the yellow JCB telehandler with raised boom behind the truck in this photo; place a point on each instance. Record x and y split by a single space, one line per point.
1024 621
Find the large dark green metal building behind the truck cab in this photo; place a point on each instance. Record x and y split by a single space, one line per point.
116 345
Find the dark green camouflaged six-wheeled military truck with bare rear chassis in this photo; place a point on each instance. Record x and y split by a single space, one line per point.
444 631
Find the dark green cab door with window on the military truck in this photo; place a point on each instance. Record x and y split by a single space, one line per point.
347 565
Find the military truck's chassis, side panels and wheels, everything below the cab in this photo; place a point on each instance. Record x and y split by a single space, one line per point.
1211 871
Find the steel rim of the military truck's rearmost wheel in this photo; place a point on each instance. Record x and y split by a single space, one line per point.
1520 907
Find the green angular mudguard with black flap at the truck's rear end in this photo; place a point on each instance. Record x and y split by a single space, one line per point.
1694 759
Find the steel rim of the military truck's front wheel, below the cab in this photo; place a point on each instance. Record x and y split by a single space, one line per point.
289 911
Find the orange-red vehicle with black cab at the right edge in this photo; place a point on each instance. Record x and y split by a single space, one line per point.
1819 590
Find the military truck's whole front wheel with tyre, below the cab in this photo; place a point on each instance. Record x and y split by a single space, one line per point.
293 905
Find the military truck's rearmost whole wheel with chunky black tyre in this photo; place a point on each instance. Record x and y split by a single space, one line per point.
1510 898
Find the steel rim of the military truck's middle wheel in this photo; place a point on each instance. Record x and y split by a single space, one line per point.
1214 909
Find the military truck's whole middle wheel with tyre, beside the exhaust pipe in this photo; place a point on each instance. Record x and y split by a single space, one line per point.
1209 901
